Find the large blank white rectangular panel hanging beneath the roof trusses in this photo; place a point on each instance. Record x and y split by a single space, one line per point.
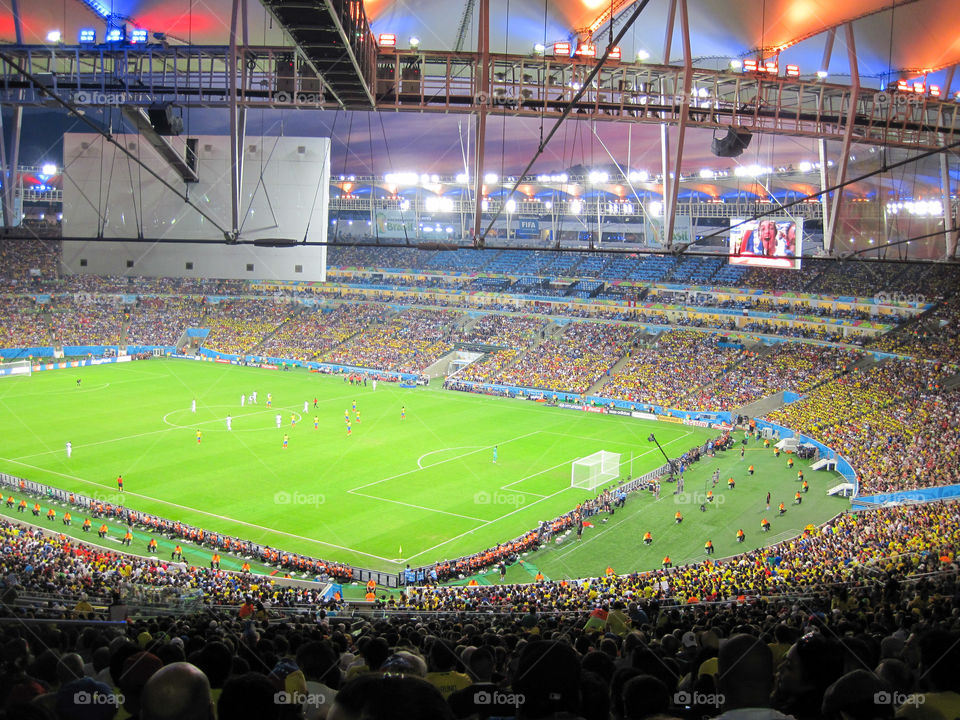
284 195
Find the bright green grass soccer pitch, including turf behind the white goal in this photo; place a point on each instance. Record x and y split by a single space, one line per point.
398 490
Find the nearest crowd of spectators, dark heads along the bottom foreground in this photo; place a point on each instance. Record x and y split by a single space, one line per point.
874 636
